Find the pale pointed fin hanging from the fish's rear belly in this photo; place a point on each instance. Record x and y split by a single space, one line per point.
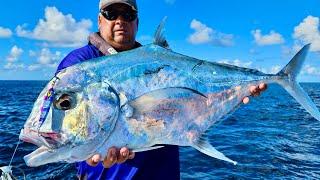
206 148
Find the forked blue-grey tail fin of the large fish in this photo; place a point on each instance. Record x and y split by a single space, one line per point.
287 79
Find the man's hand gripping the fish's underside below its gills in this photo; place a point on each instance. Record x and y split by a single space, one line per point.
114 156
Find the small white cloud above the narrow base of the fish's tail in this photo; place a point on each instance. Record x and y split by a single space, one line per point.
267 39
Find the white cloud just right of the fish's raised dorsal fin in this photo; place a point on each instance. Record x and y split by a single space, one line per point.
204 34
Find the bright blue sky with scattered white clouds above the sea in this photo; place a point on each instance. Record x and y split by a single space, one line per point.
35 35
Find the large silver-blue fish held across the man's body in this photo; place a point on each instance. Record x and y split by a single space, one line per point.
141 98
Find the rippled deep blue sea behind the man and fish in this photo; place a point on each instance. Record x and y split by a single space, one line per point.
271 138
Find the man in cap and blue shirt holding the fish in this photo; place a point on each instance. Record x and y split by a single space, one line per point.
118 25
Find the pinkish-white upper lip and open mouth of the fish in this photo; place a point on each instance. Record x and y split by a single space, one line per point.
49 140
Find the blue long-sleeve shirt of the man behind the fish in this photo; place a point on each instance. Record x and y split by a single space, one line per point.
156 164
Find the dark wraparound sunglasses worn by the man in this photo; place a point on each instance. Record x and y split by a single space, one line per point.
113 15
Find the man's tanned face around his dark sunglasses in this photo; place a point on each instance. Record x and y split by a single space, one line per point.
119 32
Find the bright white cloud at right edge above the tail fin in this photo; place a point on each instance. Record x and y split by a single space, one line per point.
308 32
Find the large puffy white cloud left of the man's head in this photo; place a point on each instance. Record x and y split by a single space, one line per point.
58 29
